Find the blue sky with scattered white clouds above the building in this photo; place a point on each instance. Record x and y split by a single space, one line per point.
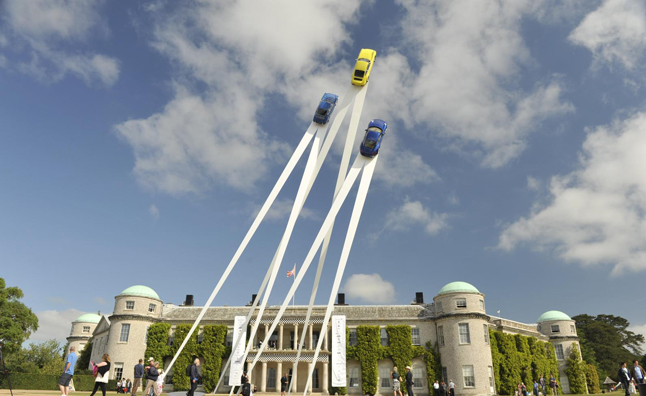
140 138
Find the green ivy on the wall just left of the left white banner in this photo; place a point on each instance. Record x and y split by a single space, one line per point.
213 350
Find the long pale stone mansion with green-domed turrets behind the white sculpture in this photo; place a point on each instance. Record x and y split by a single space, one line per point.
456 321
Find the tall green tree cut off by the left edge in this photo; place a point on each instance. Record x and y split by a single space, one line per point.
17 321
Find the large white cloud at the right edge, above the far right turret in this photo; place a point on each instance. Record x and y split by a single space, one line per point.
596 214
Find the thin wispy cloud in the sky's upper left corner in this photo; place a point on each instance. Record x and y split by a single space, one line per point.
43 25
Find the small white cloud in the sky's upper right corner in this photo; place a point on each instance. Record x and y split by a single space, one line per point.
614 33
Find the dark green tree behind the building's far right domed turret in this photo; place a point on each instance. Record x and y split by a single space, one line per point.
607 340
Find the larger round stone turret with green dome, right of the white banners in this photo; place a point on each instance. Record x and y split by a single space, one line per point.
463 337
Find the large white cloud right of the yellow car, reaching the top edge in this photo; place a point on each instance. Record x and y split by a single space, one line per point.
468 88
